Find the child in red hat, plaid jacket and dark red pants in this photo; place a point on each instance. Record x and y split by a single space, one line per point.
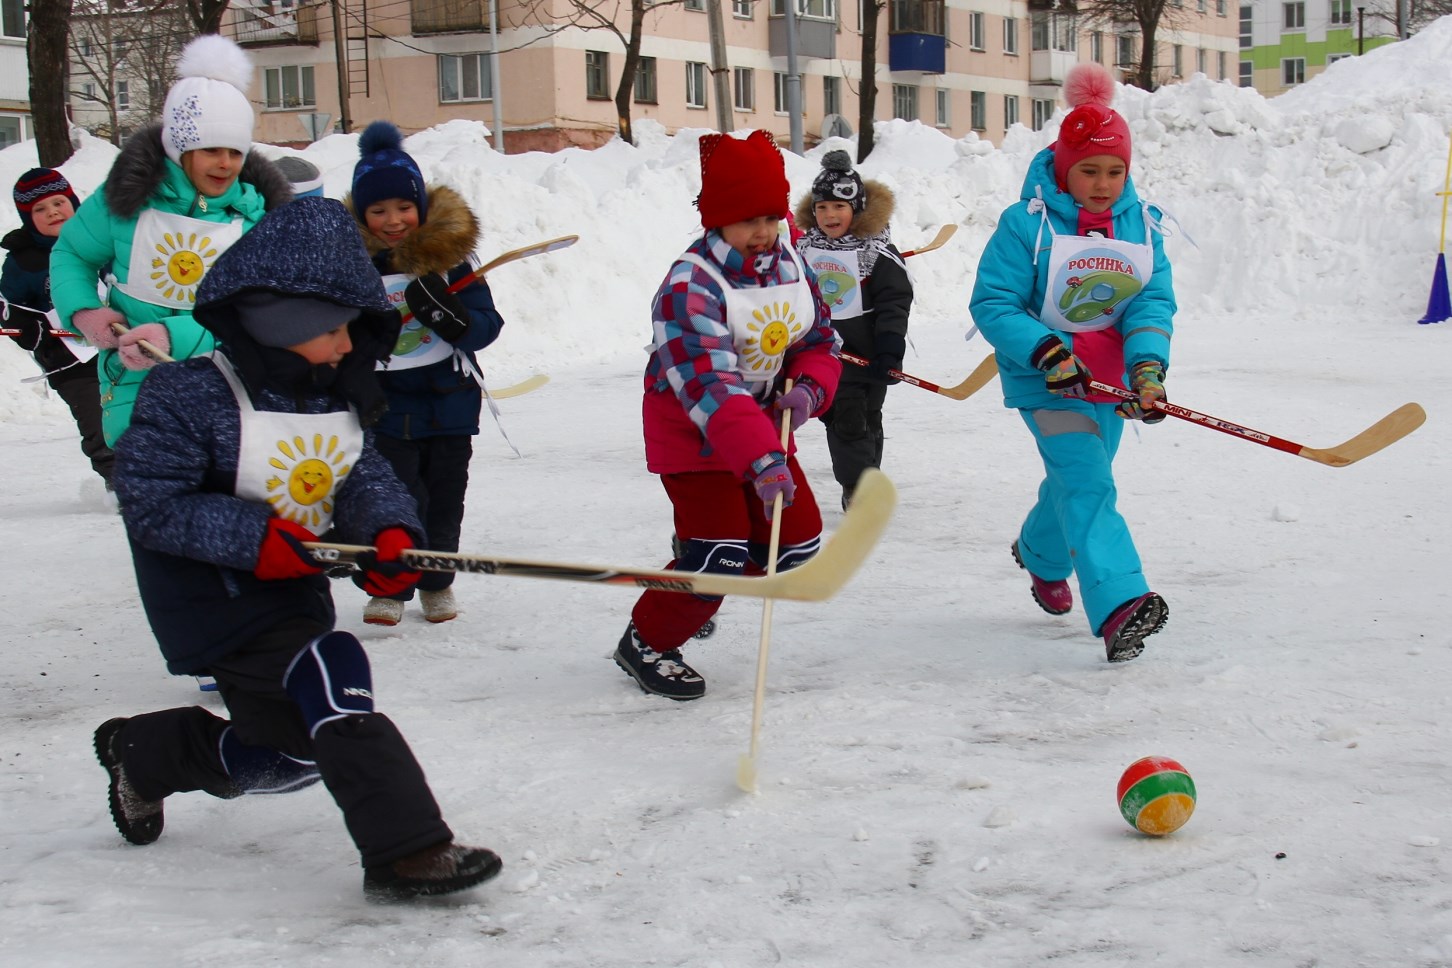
737 316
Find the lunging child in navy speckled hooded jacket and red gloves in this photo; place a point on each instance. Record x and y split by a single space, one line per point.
232 462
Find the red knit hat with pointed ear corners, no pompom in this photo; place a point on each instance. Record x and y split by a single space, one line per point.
741 179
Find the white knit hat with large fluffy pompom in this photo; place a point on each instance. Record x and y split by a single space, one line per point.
208 105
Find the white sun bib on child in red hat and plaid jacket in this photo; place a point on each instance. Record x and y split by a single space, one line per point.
764 321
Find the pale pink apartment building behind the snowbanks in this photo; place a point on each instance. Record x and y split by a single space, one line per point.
960 66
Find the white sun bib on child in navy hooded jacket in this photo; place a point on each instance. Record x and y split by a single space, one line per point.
294 462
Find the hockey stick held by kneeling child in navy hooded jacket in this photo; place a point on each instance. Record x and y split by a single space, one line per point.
817 581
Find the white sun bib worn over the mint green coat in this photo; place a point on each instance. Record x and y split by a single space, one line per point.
172 253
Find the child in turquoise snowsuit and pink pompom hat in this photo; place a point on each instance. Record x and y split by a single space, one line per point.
1074 287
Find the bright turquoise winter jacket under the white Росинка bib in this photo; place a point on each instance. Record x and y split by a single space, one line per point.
1010 288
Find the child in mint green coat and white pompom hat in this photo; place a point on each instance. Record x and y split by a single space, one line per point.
178 195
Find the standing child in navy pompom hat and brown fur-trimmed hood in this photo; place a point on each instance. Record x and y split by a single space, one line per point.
422 242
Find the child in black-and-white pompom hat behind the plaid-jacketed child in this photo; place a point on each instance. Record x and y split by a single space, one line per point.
863 279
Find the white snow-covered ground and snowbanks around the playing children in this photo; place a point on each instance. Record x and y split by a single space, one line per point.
939 757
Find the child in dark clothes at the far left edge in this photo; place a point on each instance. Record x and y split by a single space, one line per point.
46 202
